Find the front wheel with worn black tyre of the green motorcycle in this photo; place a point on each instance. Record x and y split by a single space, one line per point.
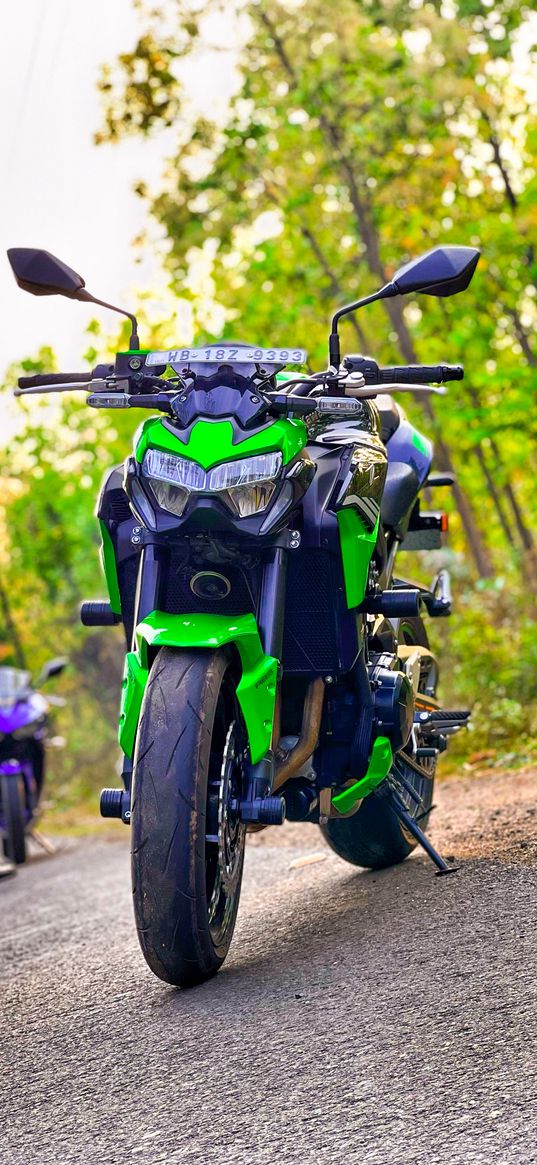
188 842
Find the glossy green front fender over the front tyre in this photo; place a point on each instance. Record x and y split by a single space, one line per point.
257 689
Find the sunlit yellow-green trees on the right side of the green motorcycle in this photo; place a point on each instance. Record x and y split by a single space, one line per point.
362 135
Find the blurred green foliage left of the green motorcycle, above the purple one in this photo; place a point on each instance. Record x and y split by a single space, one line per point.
52 471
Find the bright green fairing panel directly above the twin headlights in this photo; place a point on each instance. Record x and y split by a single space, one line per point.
211 442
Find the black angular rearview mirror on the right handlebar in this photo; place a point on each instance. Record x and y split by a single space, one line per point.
441 272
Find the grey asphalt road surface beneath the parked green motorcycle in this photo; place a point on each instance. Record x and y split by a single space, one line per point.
379 1020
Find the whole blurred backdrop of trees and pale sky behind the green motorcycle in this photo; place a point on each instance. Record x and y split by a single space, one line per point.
241 170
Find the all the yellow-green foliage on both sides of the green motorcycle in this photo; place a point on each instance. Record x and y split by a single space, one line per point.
359 136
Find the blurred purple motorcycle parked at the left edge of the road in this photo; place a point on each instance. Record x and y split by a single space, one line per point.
24 728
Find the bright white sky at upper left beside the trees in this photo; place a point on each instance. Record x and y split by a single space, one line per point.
59 190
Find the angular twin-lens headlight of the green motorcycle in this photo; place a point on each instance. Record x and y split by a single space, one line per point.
246 485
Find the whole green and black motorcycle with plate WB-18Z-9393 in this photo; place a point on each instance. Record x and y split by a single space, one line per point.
278 667
